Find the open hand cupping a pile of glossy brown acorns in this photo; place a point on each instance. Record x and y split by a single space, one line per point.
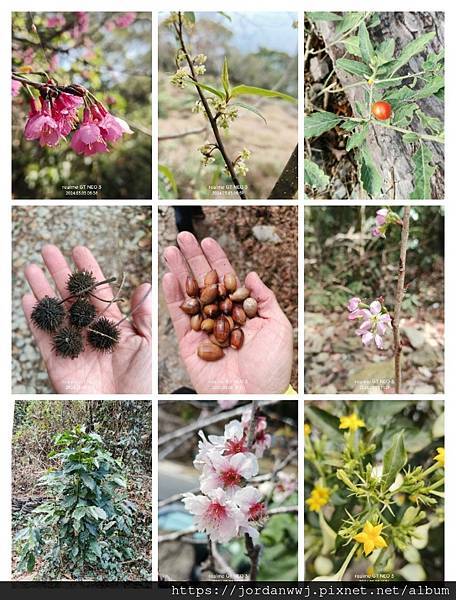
263 364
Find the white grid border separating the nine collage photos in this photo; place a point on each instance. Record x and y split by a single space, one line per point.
7 399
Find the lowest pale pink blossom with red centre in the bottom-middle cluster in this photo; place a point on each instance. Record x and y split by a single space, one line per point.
216 514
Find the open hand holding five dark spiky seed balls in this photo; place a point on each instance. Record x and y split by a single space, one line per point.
128 368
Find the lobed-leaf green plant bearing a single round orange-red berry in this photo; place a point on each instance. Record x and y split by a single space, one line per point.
390 100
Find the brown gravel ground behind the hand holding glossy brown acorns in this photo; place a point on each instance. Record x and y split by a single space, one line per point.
237 230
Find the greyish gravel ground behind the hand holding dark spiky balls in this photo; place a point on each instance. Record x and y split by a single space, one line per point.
119 237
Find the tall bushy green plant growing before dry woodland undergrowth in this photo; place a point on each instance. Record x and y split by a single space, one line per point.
85 525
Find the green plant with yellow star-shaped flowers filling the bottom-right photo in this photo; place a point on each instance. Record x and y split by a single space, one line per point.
373 484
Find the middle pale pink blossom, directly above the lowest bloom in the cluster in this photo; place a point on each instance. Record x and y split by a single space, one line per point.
227 472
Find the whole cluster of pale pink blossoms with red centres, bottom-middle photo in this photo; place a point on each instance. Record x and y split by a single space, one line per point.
227 506
